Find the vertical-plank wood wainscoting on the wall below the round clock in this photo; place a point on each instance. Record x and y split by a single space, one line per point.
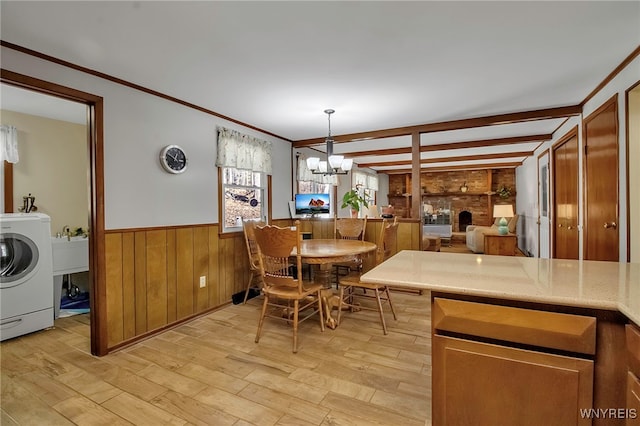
153 277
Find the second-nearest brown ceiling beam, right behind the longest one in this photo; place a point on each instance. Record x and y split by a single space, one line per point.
453 145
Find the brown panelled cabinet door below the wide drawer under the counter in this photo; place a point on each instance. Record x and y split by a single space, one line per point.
483 384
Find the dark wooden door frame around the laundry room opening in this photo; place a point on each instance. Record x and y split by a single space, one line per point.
96 193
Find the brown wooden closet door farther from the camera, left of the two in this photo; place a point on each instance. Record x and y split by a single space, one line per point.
565 197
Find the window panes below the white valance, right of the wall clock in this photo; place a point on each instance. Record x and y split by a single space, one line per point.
244 194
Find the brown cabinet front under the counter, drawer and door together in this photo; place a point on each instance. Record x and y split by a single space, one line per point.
507 365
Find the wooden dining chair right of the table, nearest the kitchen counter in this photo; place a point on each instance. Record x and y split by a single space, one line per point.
352 290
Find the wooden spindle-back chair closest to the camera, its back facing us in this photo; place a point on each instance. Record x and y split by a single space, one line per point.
286 295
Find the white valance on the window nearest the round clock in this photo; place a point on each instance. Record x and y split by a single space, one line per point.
243 151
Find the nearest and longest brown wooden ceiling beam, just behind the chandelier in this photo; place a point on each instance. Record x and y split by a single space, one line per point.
467 123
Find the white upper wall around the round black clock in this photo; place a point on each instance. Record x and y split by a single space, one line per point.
138 193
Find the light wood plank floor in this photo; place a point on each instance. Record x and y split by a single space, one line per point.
210 372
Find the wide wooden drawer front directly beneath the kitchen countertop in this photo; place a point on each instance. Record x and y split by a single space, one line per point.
573 333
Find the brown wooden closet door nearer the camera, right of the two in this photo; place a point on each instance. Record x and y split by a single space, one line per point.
602 237
